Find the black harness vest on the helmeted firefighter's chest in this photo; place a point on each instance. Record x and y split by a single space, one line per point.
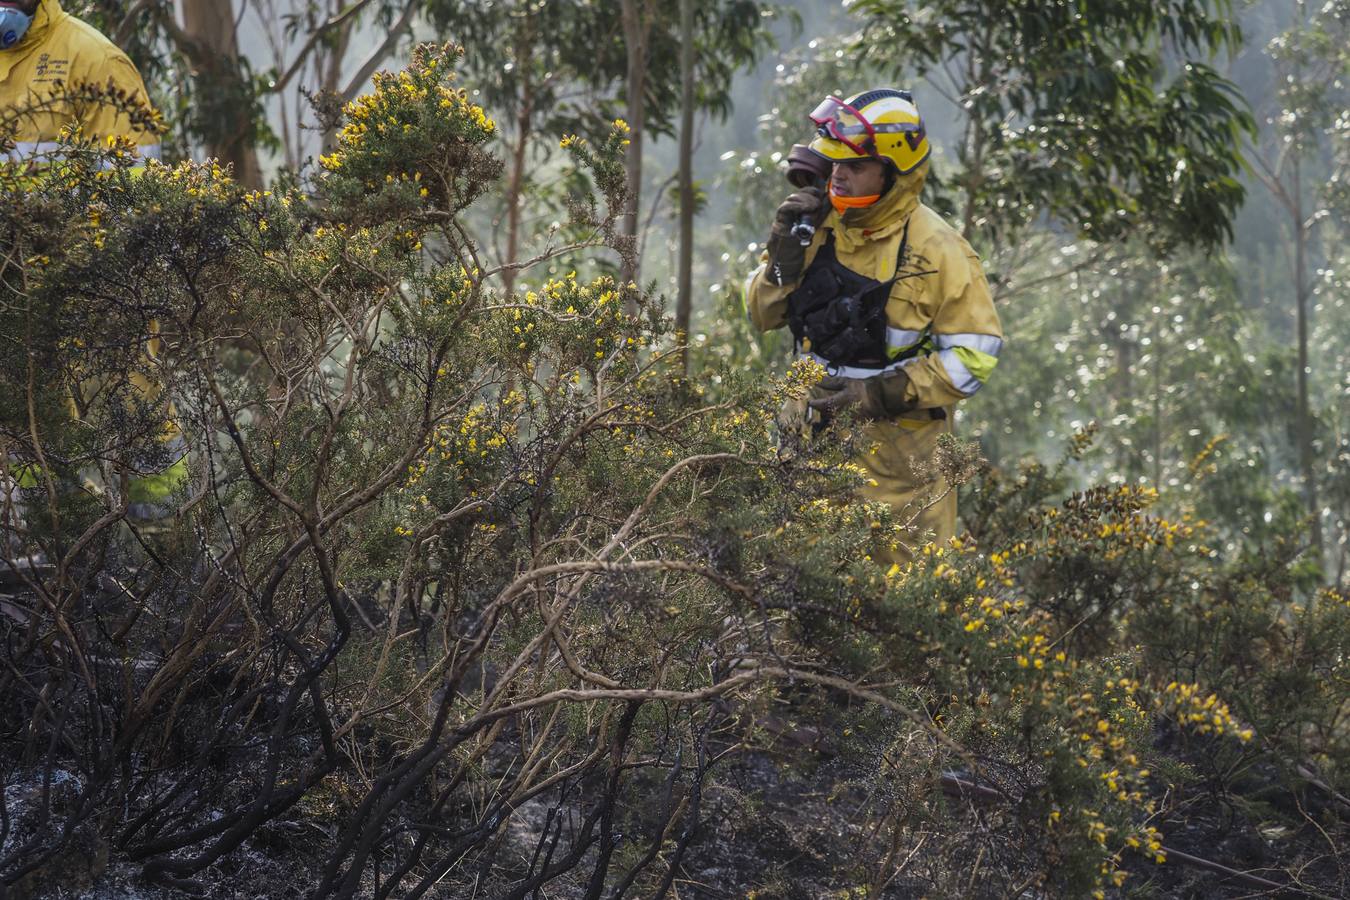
840 315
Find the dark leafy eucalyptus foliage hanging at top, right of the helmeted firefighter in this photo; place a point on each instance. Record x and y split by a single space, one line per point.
1105 118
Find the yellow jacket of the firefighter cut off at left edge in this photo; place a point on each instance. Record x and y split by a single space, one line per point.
60 51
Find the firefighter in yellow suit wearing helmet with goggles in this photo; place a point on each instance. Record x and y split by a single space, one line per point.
888 298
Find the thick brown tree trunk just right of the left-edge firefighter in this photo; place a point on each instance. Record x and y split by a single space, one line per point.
210 25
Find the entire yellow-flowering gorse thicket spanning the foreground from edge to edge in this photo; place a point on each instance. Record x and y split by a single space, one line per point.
483 588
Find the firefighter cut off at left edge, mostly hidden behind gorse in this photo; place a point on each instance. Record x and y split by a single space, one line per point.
45 56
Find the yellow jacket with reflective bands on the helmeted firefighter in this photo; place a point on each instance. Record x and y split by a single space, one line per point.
943 329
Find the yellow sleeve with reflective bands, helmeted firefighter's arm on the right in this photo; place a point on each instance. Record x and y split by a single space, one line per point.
966 335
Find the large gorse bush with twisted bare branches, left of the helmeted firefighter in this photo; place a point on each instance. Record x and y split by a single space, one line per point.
425 520
